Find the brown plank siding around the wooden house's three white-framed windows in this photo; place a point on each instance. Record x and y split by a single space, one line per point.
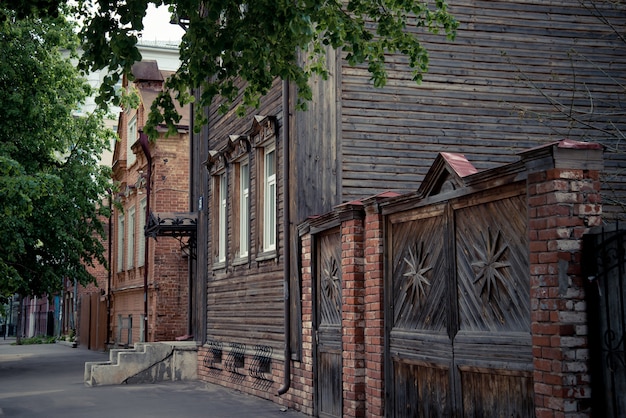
245 300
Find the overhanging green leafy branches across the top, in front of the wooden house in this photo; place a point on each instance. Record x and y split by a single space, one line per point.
258 41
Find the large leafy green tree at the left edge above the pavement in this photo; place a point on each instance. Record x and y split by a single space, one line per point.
51 183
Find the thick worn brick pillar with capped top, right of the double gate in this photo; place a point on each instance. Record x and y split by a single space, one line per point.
563 202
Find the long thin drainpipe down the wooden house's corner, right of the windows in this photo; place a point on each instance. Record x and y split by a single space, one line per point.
287 240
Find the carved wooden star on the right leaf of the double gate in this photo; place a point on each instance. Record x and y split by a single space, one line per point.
489 264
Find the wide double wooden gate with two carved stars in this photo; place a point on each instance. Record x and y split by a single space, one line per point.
458 307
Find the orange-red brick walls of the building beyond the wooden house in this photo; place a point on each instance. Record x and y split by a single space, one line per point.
168 281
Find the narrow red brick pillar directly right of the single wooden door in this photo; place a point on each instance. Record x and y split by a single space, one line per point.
353 318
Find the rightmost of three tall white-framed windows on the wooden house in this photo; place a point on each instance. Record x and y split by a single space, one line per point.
269 198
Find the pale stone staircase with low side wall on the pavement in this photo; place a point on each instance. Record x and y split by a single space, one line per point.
145 363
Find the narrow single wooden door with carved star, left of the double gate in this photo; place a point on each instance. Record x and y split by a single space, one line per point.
328 324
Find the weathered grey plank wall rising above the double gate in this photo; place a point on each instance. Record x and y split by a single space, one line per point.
487 94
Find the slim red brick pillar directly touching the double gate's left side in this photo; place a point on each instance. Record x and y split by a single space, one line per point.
374 310
